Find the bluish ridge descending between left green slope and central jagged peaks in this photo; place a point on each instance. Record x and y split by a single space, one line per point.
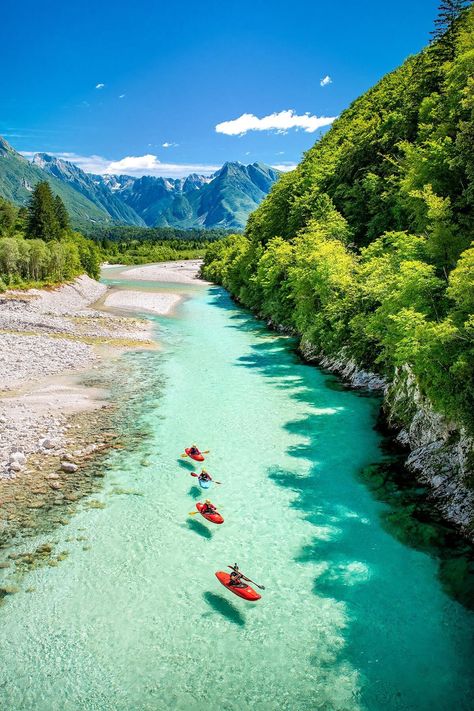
88 185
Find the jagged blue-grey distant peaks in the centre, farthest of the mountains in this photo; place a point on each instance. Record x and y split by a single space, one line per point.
225 199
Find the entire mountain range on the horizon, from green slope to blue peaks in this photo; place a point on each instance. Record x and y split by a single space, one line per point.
224 199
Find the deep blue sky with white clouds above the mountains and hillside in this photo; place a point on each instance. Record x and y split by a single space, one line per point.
163 88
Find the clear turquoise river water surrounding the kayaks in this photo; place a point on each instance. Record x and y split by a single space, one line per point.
350 619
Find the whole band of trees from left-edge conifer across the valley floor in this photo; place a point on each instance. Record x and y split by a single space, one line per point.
38 246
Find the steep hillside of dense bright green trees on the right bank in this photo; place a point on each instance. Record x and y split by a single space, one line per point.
365 248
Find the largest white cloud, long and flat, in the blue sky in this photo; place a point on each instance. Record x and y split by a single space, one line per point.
279 122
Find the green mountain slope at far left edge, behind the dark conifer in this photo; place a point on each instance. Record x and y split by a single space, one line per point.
18 177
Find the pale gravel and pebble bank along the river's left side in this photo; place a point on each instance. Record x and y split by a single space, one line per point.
53 424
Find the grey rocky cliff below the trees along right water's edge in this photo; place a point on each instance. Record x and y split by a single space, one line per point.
441 453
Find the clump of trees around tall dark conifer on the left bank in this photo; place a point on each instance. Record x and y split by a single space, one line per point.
38 246
